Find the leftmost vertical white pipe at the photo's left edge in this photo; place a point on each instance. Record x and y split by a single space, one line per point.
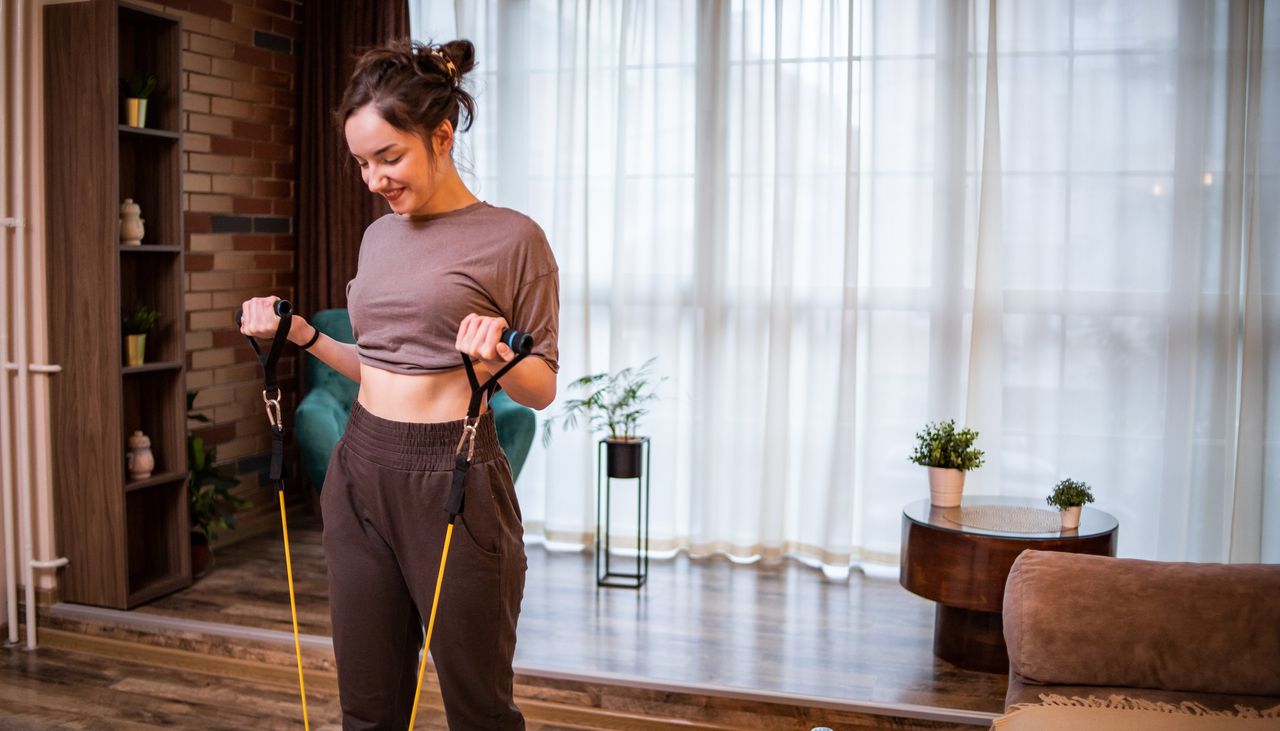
7 88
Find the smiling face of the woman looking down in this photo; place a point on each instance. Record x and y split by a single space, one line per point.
396 165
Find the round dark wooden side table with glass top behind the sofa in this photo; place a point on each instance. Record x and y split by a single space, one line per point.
964 570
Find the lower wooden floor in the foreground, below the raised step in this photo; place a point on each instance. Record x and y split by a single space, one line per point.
85 682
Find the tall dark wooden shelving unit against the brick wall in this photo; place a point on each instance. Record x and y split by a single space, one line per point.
129 541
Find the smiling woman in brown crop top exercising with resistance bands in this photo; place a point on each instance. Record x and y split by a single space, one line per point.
441 276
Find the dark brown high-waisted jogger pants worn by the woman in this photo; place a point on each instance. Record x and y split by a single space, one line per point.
385 523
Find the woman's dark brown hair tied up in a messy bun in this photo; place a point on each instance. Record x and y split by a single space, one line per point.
413 88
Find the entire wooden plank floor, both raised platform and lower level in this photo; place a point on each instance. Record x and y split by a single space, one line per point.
707 645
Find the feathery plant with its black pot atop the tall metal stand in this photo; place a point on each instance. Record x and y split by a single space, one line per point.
615 403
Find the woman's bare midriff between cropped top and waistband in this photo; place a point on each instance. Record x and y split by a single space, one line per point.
420 398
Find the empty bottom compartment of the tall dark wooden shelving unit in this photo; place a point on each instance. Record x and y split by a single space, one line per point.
159 540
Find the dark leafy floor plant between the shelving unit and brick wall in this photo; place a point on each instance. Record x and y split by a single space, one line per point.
212 504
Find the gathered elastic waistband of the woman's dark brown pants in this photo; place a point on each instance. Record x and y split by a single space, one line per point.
417 446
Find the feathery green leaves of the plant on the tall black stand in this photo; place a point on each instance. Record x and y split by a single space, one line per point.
615 403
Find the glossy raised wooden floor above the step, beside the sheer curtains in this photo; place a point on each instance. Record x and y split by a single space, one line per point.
707 623
